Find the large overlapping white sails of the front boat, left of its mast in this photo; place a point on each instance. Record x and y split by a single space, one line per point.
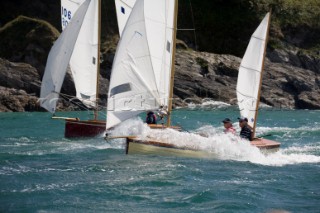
141 69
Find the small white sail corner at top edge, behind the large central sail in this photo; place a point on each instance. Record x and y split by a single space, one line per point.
123 9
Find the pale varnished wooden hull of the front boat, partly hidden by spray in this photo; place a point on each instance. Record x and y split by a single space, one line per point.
137 146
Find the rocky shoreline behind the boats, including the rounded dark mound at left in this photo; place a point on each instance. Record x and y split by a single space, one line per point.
291 78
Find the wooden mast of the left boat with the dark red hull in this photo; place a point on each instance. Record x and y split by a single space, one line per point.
98 60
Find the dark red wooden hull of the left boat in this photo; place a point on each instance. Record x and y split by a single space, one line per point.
76 129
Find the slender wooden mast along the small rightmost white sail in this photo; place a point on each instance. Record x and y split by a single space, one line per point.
260 81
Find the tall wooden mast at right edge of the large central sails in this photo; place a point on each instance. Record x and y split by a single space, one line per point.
174 34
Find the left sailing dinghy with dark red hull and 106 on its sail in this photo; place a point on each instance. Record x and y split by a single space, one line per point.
77 46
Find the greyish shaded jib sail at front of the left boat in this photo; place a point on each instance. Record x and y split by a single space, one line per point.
58 60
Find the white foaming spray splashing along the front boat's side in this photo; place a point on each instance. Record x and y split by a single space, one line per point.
223 146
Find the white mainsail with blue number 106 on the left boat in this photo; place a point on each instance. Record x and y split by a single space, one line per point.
84 60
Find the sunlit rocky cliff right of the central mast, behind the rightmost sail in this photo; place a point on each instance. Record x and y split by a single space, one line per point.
206 75
